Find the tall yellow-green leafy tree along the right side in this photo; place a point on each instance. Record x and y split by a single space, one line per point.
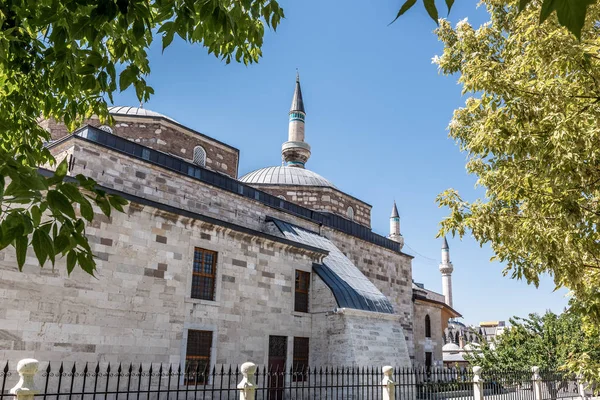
531 131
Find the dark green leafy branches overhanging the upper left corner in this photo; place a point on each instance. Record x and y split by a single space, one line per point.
60 59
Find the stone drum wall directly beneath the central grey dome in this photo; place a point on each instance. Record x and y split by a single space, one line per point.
324 199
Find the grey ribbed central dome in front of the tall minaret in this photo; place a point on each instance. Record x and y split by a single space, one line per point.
285 176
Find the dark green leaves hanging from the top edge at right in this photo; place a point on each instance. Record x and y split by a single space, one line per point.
571 13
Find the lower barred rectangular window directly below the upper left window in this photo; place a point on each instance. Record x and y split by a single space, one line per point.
197 357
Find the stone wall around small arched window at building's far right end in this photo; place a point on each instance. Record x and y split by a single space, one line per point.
422 343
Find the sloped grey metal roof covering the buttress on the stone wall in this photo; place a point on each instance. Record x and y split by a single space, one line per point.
350 287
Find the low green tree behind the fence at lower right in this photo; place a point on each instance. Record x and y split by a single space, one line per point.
548 341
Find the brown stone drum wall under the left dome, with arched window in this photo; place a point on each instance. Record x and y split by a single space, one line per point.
166 136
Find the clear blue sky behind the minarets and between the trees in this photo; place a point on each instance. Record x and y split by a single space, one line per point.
377 112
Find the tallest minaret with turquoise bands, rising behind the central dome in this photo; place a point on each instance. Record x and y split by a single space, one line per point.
296 151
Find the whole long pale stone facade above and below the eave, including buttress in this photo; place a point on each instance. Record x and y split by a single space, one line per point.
139 308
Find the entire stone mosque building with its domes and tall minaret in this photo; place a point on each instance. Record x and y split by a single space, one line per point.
278 267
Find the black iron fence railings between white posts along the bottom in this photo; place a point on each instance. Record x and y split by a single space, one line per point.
158 381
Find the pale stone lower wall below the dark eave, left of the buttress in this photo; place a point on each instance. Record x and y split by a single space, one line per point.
139 307
